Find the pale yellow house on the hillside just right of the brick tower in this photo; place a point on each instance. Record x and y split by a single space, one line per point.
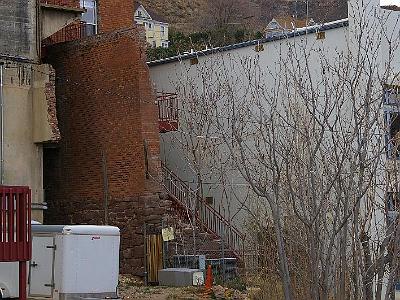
156 26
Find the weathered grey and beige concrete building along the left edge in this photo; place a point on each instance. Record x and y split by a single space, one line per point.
28 116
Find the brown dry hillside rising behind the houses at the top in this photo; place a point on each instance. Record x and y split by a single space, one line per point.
192 14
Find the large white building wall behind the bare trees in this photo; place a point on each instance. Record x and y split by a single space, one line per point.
211 85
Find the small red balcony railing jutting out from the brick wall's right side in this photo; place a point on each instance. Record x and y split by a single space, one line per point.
167 111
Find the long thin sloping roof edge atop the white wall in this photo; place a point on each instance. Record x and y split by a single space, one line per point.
275 37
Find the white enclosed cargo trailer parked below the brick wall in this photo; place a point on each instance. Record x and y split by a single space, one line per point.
68 262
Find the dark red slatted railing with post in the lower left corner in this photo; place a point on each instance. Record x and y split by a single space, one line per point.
15 230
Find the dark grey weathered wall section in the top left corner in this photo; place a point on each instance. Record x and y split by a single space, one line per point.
18 28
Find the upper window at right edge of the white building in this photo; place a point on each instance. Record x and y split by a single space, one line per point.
392 121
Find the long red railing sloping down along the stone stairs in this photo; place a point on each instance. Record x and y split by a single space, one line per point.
208 217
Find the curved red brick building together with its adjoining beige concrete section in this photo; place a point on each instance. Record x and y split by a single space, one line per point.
79 117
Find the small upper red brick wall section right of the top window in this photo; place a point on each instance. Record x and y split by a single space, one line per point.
115 14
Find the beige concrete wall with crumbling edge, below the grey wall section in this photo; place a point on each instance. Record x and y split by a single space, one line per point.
23 157
